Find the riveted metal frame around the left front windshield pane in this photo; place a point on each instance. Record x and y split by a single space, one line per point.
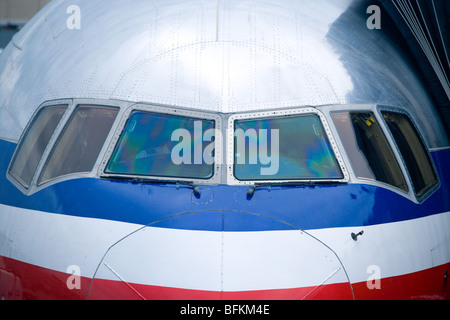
165 110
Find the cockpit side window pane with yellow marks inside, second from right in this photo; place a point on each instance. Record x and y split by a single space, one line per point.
368 149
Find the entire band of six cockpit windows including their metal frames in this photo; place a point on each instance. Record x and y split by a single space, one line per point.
73 138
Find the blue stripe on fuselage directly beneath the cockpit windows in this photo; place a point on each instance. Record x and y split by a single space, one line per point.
226 208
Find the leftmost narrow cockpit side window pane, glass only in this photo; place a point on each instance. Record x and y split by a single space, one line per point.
34 143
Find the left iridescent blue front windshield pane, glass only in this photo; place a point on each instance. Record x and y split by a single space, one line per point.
164 146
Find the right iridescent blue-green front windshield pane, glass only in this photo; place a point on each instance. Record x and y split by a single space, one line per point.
289 148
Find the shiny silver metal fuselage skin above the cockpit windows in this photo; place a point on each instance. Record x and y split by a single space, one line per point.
224 56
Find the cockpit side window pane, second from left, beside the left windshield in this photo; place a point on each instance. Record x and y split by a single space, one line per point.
80 143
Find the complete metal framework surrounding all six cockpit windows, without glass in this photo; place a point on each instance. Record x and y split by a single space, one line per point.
224 148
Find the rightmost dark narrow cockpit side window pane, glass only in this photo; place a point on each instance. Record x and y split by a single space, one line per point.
413 151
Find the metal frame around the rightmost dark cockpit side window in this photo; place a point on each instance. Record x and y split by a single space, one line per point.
436 186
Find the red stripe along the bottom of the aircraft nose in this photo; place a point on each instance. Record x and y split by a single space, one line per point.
20 280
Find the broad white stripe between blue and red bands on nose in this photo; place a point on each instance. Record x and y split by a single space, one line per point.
222 261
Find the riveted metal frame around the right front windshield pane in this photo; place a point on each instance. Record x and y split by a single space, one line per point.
280 113
